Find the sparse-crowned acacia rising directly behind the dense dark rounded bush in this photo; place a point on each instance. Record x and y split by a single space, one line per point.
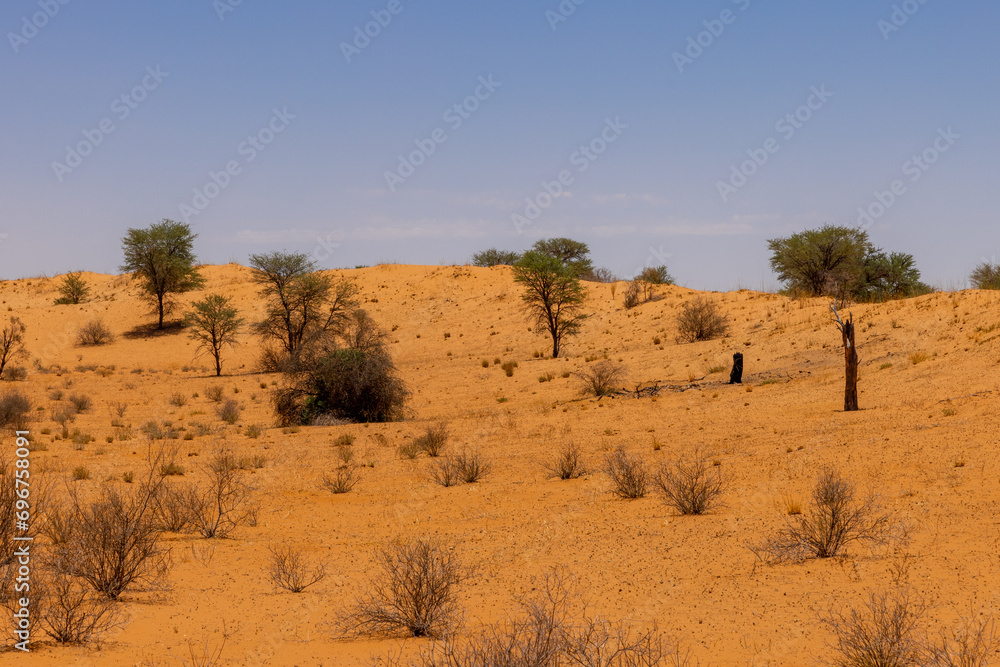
302 304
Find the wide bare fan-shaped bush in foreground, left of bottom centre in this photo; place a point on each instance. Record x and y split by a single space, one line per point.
413 594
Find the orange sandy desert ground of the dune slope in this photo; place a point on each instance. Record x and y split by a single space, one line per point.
925 440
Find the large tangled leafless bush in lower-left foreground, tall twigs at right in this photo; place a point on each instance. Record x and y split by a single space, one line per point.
115 542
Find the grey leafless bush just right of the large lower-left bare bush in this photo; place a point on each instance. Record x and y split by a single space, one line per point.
225 502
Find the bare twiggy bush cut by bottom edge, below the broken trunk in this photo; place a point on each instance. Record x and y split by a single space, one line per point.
884 631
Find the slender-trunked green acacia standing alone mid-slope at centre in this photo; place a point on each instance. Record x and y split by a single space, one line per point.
553 296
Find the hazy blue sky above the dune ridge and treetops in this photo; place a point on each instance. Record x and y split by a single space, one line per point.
679 133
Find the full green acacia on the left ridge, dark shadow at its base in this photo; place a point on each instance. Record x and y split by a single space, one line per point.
162 257
